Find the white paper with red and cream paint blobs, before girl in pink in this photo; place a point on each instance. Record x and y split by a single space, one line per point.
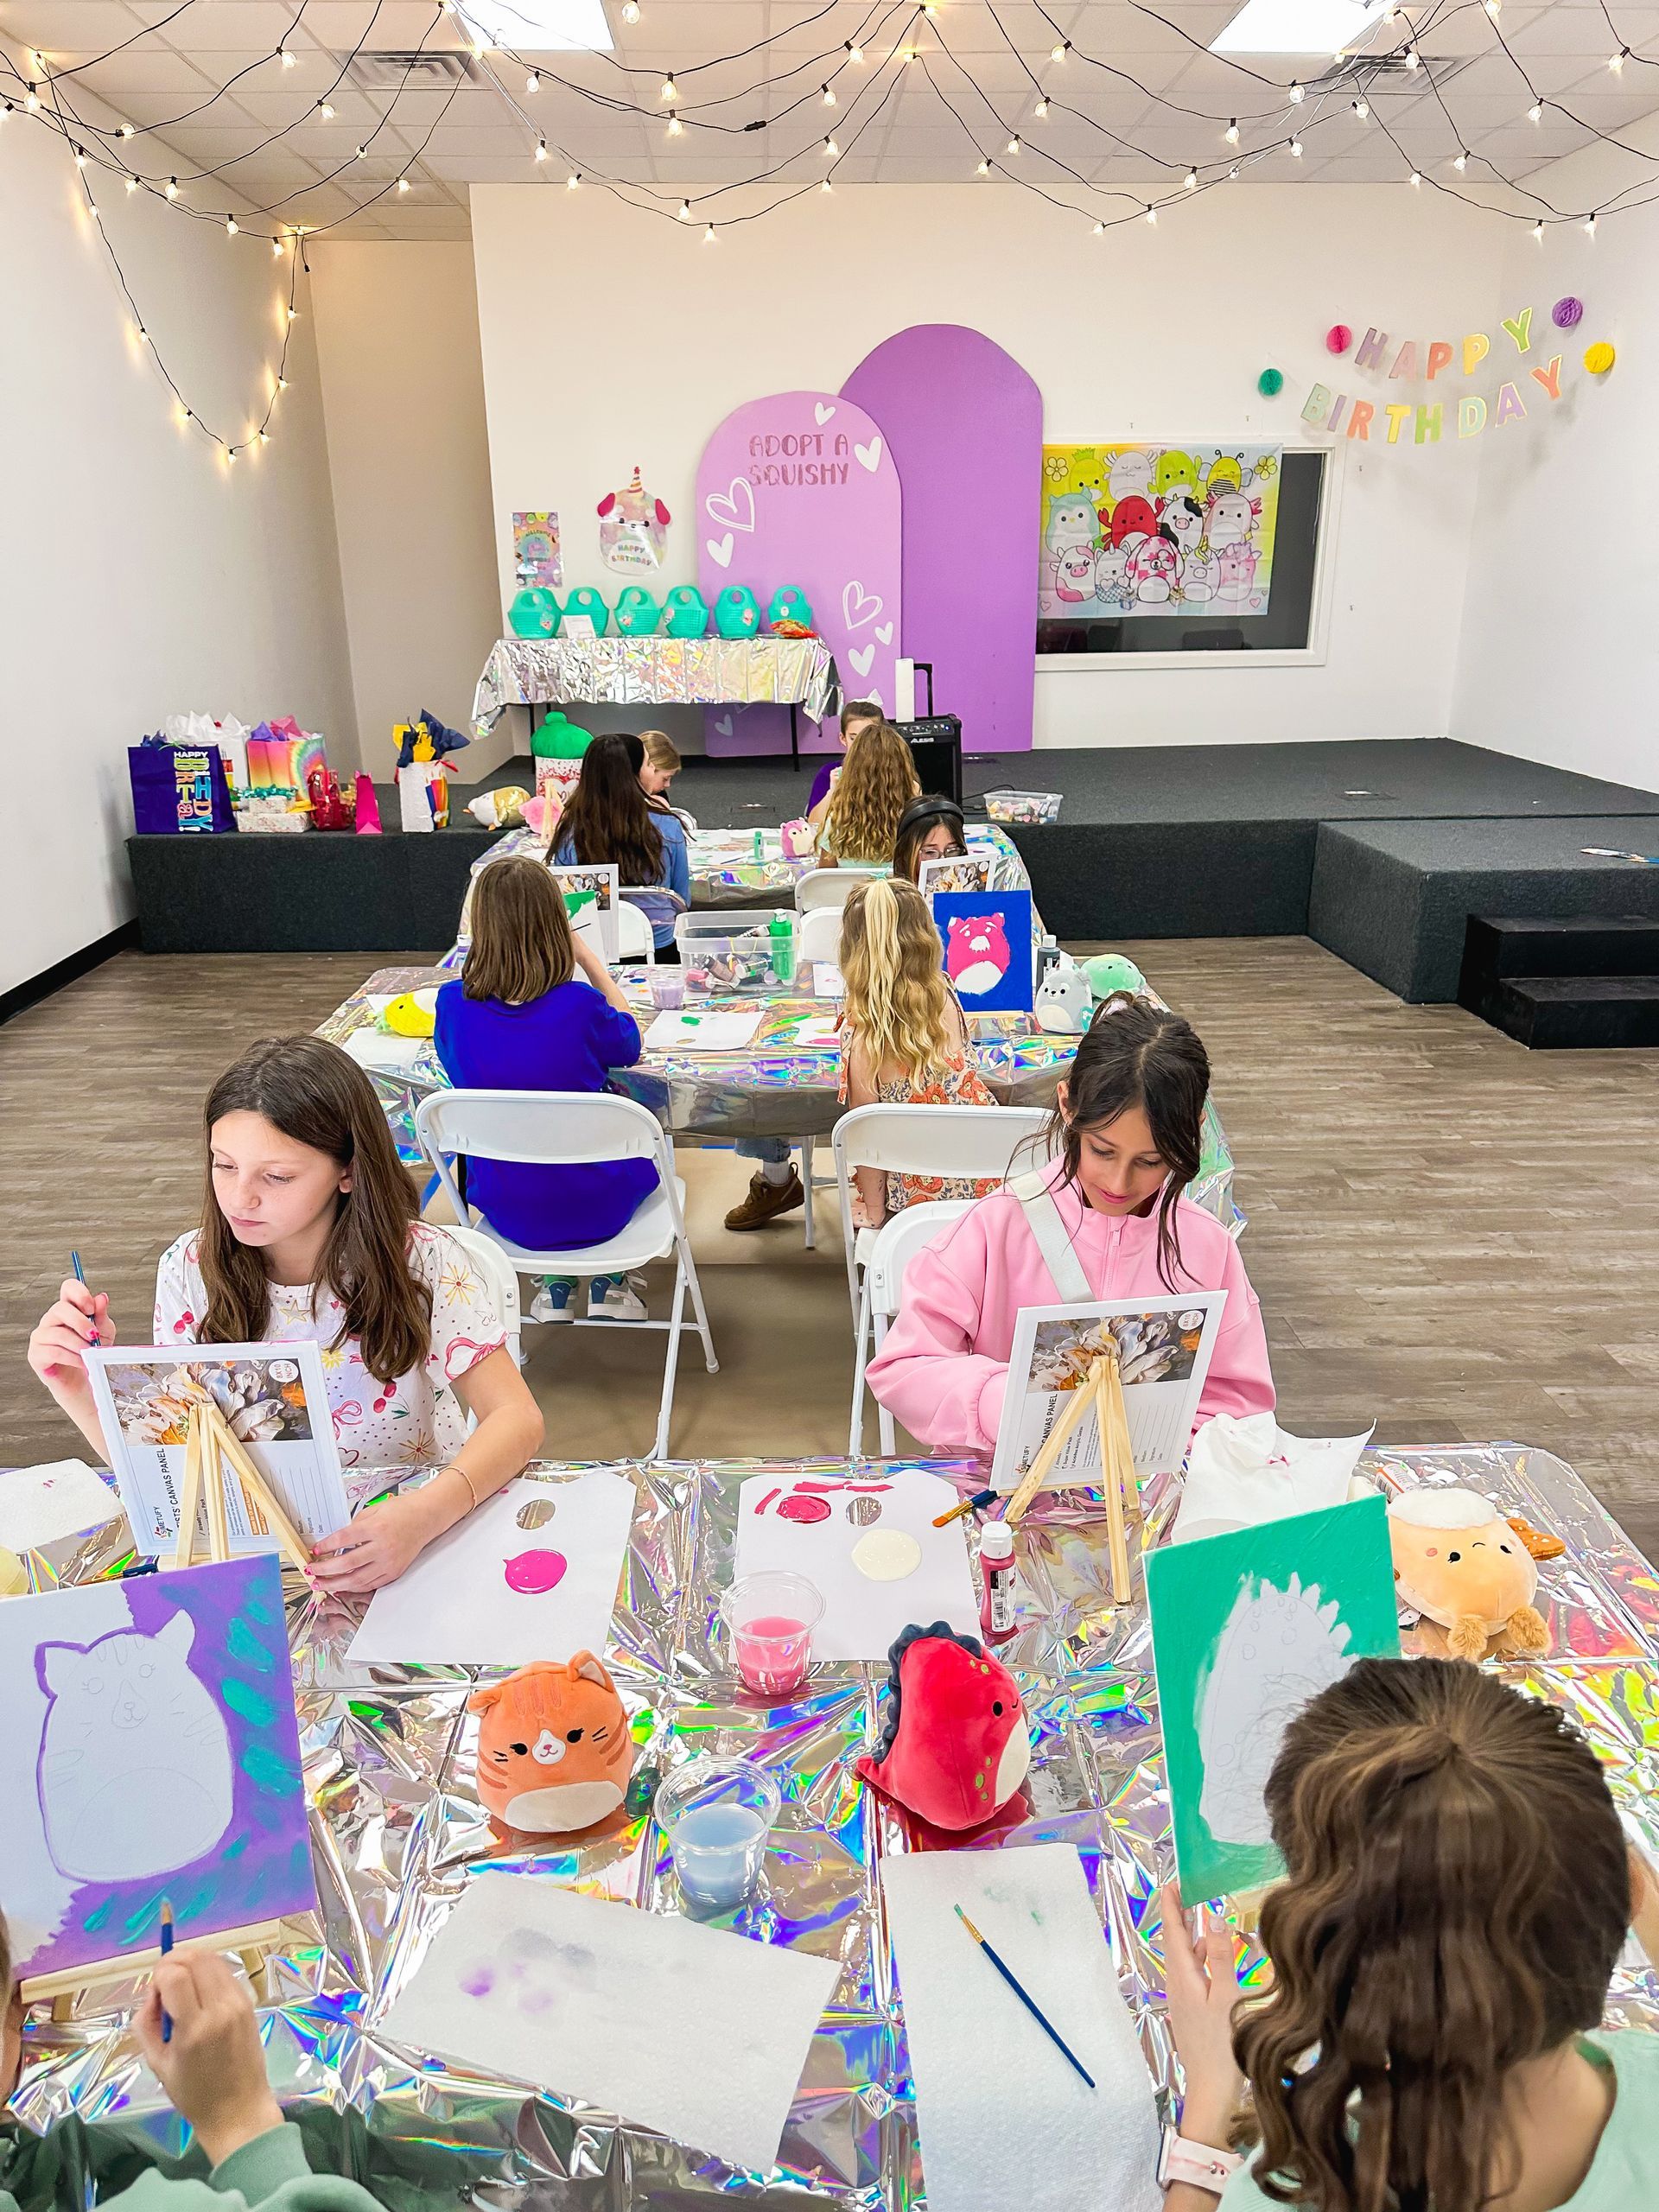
862 1616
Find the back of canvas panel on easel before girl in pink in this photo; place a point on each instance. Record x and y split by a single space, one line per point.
1160 1412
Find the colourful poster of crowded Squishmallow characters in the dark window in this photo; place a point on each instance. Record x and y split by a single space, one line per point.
1158 530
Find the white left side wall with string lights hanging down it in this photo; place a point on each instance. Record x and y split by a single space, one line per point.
140 576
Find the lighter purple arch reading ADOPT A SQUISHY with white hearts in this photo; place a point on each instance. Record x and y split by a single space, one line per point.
800 488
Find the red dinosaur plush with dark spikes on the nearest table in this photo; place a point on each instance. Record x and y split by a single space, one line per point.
954 1749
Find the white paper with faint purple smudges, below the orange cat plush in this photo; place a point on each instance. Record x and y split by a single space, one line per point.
660 2021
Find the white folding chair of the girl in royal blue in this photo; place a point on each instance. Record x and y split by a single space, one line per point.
578 1129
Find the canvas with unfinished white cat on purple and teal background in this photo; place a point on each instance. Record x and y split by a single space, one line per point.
149 1755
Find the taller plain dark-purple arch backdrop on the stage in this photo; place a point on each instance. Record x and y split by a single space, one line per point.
963 421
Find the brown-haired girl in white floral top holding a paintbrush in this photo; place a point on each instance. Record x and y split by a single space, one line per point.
311 1231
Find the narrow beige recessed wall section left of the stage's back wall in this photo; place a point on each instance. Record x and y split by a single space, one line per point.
397 333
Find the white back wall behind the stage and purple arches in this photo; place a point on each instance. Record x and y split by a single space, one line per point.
614 340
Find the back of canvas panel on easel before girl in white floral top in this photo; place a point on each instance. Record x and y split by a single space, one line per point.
302 1463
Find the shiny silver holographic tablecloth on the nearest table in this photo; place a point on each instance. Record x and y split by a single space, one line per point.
399 1835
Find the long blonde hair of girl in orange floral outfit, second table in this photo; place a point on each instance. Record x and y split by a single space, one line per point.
893 972
